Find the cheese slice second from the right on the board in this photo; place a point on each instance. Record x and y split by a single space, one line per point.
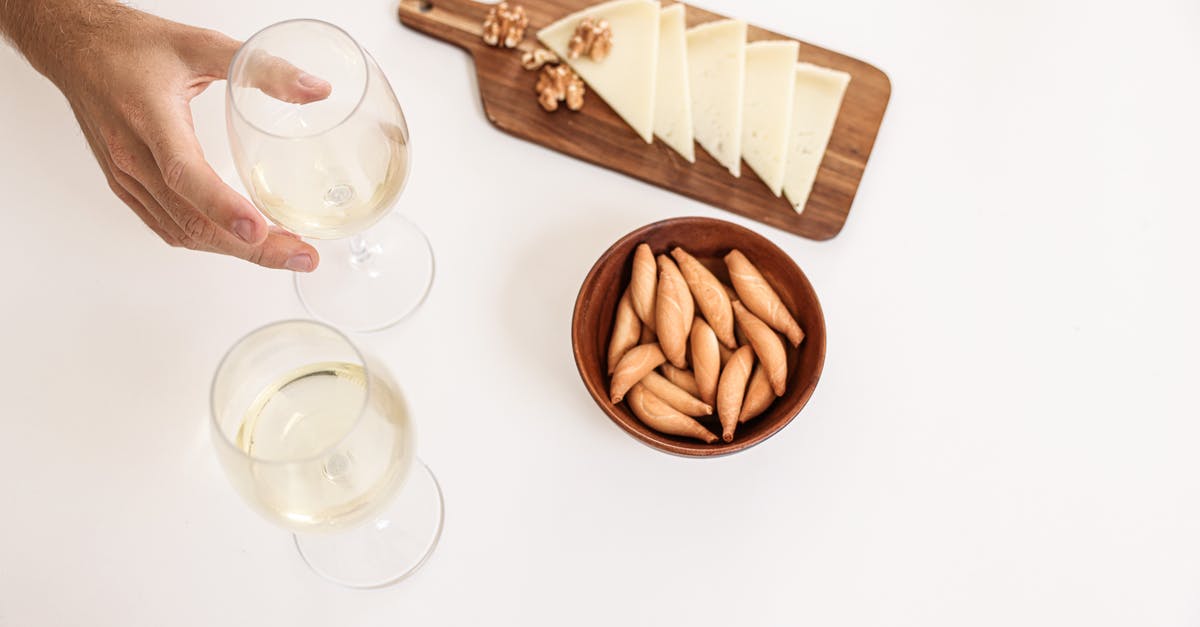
767 109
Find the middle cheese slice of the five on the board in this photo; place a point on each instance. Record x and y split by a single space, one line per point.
716 69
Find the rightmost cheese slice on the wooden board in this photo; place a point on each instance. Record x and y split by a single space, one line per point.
815 105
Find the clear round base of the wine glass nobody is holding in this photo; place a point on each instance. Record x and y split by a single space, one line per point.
388 548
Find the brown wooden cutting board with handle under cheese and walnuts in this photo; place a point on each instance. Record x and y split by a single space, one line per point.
599 136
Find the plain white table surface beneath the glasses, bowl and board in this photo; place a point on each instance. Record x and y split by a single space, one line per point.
1005 434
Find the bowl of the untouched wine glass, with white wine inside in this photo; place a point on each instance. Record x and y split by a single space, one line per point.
311 435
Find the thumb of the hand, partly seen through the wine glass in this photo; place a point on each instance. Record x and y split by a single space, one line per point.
212 53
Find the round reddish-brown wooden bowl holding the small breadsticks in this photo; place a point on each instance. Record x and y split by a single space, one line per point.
709 241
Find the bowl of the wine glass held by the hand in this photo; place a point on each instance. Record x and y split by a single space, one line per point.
326 163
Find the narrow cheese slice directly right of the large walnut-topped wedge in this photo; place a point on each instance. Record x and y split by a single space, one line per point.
673 98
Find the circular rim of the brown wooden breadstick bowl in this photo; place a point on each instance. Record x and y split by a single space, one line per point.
655 440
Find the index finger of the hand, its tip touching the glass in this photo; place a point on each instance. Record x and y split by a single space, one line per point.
182 166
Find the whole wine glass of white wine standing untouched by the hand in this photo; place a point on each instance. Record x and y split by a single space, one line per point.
317 438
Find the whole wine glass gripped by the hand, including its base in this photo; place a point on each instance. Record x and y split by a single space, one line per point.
332 170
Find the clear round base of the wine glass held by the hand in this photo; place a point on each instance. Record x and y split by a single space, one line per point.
374 291
